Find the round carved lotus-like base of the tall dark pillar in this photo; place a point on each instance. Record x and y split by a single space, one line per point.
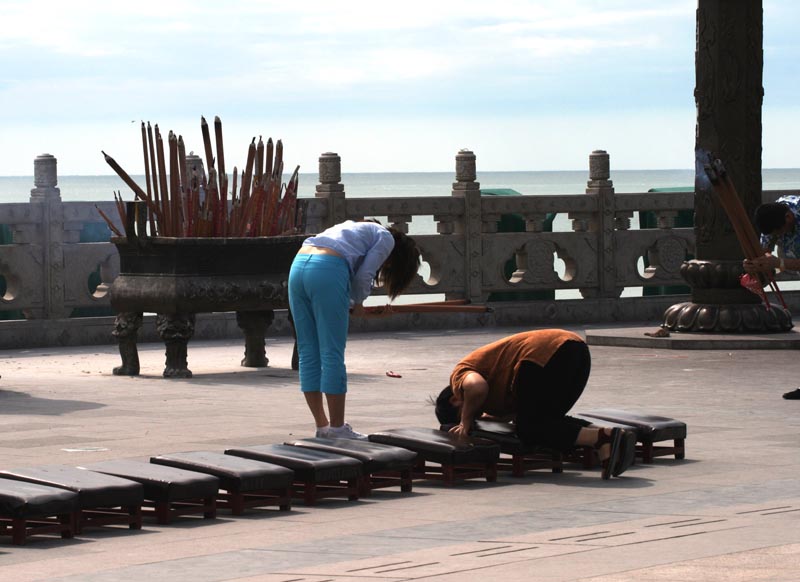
721 305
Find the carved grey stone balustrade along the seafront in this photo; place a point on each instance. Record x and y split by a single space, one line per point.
48 269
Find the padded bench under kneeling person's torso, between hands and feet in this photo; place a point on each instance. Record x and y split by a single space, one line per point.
515 456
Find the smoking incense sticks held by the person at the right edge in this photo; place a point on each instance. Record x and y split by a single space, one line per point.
737 215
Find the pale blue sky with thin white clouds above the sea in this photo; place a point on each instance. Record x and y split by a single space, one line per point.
390 87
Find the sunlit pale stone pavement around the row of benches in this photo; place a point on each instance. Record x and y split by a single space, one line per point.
730 511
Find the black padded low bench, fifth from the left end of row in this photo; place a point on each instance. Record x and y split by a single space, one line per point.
317 474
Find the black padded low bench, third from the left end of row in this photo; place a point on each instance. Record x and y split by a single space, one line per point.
168 492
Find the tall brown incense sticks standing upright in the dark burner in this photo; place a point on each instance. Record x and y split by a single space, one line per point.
185 203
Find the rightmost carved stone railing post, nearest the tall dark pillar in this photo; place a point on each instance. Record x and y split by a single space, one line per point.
603 223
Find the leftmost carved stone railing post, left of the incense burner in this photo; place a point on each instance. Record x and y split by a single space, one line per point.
50 237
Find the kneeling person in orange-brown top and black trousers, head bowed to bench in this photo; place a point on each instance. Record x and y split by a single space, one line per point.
533 379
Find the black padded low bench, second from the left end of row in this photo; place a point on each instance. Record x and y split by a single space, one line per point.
102 499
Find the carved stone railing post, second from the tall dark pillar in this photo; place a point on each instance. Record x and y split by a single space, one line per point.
469 225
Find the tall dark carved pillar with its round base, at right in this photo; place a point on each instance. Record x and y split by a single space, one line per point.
728 94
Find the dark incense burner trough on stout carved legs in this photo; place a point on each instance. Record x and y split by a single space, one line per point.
177 278
